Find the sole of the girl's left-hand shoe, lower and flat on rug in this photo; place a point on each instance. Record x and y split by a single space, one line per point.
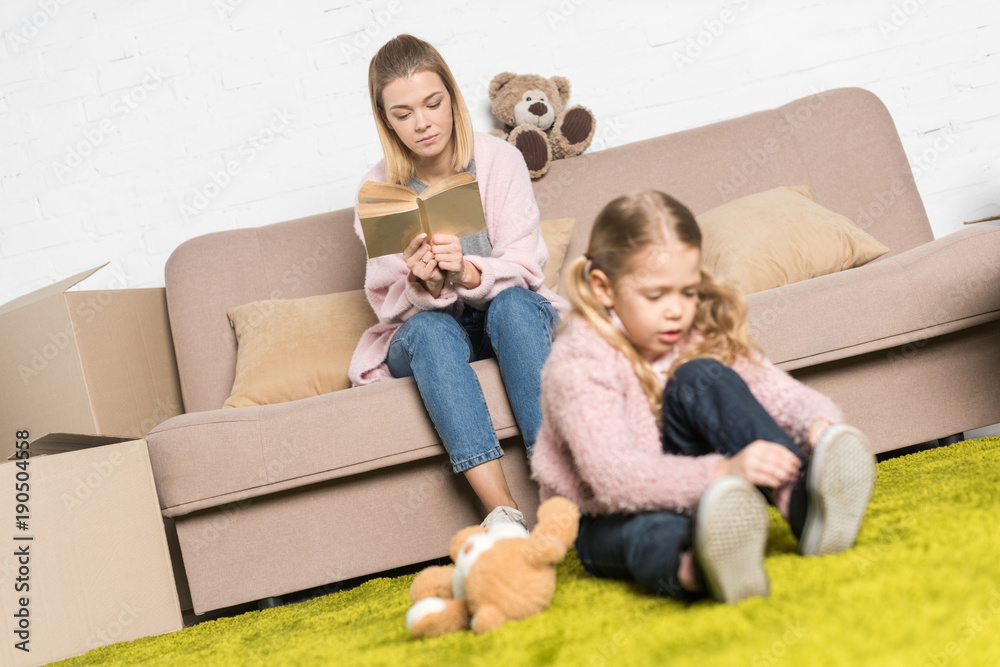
731 528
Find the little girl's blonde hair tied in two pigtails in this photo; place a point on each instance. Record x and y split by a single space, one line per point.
624 228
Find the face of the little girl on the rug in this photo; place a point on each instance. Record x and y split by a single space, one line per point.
657 298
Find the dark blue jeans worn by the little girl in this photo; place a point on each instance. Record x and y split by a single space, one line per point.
707 408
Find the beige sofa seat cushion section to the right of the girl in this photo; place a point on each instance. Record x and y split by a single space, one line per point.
945 285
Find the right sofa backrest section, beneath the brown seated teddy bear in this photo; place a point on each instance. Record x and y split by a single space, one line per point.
842 143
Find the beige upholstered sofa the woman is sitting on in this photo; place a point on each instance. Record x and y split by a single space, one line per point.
274 499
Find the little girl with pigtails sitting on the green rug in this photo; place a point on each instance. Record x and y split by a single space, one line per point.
638 457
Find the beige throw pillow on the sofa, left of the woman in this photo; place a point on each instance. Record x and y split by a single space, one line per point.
289 349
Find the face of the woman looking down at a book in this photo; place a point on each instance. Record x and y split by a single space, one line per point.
418 110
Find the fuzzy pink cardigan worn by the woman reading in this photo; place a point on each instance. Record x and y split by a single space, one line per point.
518 258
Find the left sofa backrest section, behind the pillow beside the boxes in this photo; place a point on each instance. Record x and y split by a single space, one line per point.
208 275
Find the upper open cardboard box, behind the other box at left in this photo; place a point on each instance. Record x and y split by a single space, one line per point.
89 362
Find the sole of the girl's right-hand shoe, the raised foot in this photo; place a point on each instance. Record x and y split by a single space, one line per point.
839 485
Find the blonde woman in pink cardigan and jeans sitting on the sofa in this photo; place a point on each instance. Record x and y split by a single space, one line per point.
446 301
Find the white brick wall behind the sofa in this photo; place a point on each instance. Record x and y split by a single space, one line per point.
120 120
